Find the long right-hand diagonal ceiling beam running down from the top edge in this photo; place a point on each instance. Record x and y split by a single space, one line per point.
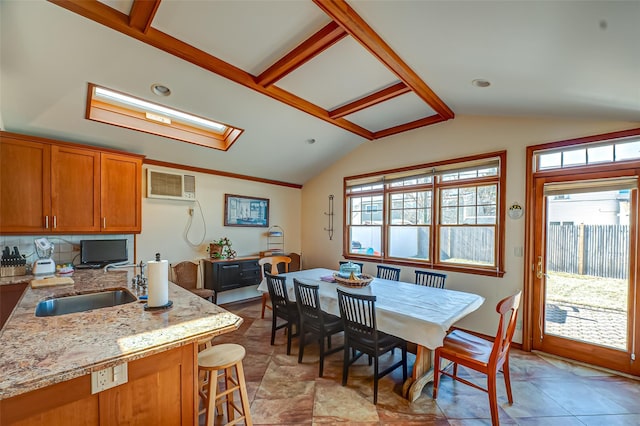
343 14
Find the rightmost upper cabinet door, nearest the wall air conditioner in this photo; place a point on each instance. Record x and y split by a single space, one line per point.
121 192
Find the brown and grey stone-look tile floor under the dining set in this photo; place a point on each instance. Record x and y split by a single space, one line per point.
546 391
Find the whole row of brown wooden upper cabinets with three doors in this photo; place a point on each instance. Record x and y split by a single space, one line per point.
50 187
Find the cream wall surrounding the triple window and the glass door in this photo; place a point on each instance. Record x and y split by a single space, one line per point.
462 136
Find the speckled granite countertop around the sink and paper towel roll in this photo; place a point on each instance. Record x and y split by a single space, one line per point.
40 351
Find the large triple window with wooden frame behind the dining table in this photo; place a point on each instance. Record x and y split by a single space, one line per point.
443 216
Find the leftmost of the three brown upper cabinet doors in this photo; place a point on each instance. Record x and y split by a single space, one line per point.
25 182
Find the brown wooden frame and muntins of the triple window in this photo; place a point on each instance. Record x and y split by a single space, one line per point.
384 179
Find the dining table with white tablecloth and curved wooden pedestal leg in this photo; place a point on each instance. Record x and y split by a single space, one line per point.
416 313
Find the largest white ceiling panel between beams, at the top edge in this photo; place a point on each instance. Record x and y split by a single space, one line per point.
250 41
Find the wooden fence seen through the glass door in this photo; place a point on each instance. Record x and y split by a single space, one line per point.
597 250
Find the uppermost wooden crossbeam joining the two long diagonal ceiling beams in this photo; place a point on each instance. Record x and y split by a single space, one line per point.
305 51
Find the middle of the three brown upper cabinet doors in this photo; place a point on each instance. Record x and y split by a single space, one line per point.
75 189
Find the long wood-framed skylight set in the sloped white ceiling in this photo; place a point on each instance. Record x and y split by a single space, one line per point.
116 108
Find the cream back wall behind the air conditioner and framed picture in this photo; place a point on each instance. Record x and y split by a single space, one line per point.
165 222
